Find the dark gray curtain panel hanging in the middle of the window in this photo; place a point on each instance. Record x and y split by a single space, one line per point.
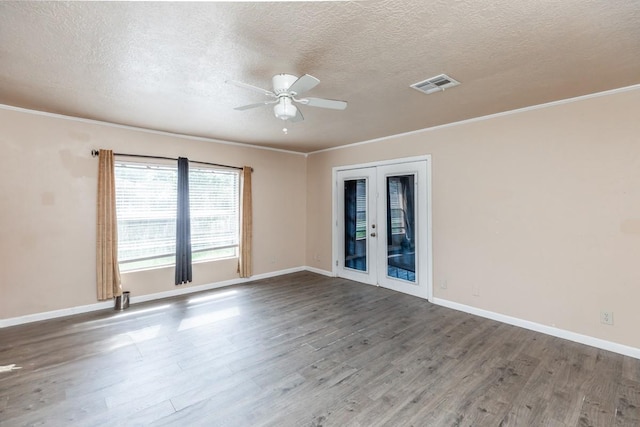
184 272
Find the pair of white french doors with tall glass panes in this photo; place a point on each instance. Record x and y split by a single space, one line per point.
382 226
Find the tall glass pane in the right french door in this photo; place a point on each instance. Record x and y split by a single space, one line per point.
401 244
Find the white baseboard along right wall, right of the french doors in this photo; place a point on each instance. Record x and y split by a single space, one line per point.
538 327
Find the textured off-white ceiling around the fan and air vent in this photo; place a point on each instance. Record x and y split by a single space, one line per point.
163 65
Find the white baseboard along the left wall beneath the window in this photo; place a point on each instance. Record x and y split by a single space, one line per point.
36 317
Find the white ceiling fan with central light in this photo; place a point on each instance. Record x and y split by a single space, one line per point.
286 90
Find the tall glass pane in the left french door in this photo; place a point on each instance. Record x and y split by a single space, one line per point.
355 224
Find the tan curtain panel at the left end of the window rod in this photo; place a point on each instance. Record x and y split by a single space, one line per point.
108 272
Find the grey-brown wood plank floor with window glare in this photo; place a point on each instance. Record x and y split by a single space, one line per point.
306 350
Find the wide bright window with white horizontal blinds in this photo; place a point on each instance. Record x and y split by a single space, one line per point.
146 204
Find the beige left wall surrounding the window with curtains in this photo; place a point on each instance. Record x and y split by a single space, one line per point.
48 183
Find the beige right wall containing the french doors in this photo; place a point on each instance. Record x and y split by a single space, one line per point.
540 210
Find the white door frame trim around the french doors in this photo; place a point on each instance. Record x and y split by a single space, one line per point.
335 249
